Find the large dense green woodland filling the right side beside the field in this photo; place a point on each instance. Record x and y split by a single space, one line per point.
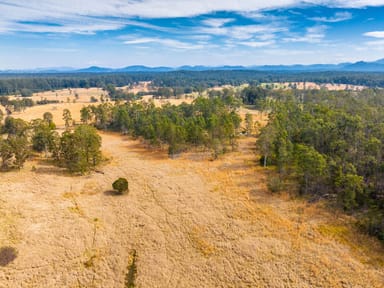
332 143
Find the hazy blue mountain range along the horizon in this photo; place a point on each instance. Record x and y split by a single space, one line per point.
361 66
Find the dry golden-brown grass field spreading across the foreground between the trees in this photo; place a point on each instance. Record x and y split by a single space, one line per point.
190 222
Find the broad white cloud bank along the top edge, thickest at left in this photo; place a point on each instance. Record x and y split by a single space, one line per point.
80 15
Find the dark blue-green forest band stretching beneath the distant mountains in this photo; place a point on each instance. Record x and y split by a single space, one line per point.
187 81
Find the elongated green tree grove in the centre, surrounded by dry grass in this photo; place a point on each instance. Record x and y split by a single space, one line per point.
211 123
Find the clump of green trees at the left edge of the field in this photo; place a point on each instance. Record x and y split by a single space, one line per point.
78 150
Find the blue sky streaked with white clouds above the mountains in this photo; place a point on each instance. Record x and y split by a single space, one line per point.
118 33
